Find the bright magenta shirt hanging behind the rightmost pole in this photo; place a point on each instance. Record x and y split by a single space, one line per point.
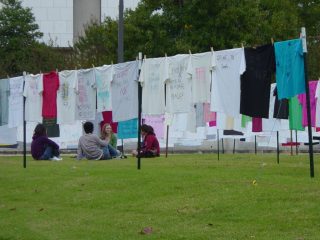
303 100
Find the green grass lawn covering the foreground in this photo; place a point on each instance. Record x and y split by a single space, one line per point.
192 196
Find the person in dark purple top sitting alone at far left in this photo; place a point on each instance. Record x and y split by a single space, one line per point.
42 148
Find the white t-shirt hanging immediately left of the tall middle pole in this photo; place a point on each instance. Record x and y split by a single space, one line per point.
124 91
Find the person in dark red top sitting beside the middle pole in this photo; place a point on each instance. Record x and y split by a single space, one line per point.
150 144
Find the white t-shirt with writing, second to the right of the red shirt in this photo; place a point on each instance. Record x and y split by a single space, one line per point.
86 97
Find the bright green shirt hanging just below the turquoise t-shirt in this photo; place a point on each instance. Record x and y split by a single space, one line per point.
295 114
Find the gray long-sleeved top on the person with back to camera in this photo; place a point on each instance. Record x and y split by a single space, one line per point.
90 146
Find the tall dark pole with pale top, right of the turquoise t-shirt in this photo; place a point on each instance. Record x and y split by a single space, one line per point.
304 42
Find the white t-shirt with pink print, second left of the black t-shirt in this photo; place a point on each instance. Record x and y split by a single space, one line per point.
202 64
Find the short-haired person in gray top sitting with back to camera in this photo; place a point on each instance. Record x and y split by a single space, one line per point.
90 146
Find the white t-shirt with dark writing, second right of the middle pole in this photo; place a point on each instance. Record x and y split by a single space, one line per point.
178 97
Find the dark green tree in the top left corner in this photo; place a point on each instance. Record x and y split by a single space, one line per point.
19 47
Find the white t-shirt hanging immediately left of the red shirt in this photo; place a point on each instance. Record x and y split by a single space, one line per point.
33 89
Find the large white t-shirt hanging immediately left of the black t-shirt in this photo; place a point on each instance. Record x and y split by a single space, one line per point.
225 92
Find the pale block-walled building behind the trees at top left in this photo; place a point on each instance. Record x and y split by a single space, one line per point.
62 20
